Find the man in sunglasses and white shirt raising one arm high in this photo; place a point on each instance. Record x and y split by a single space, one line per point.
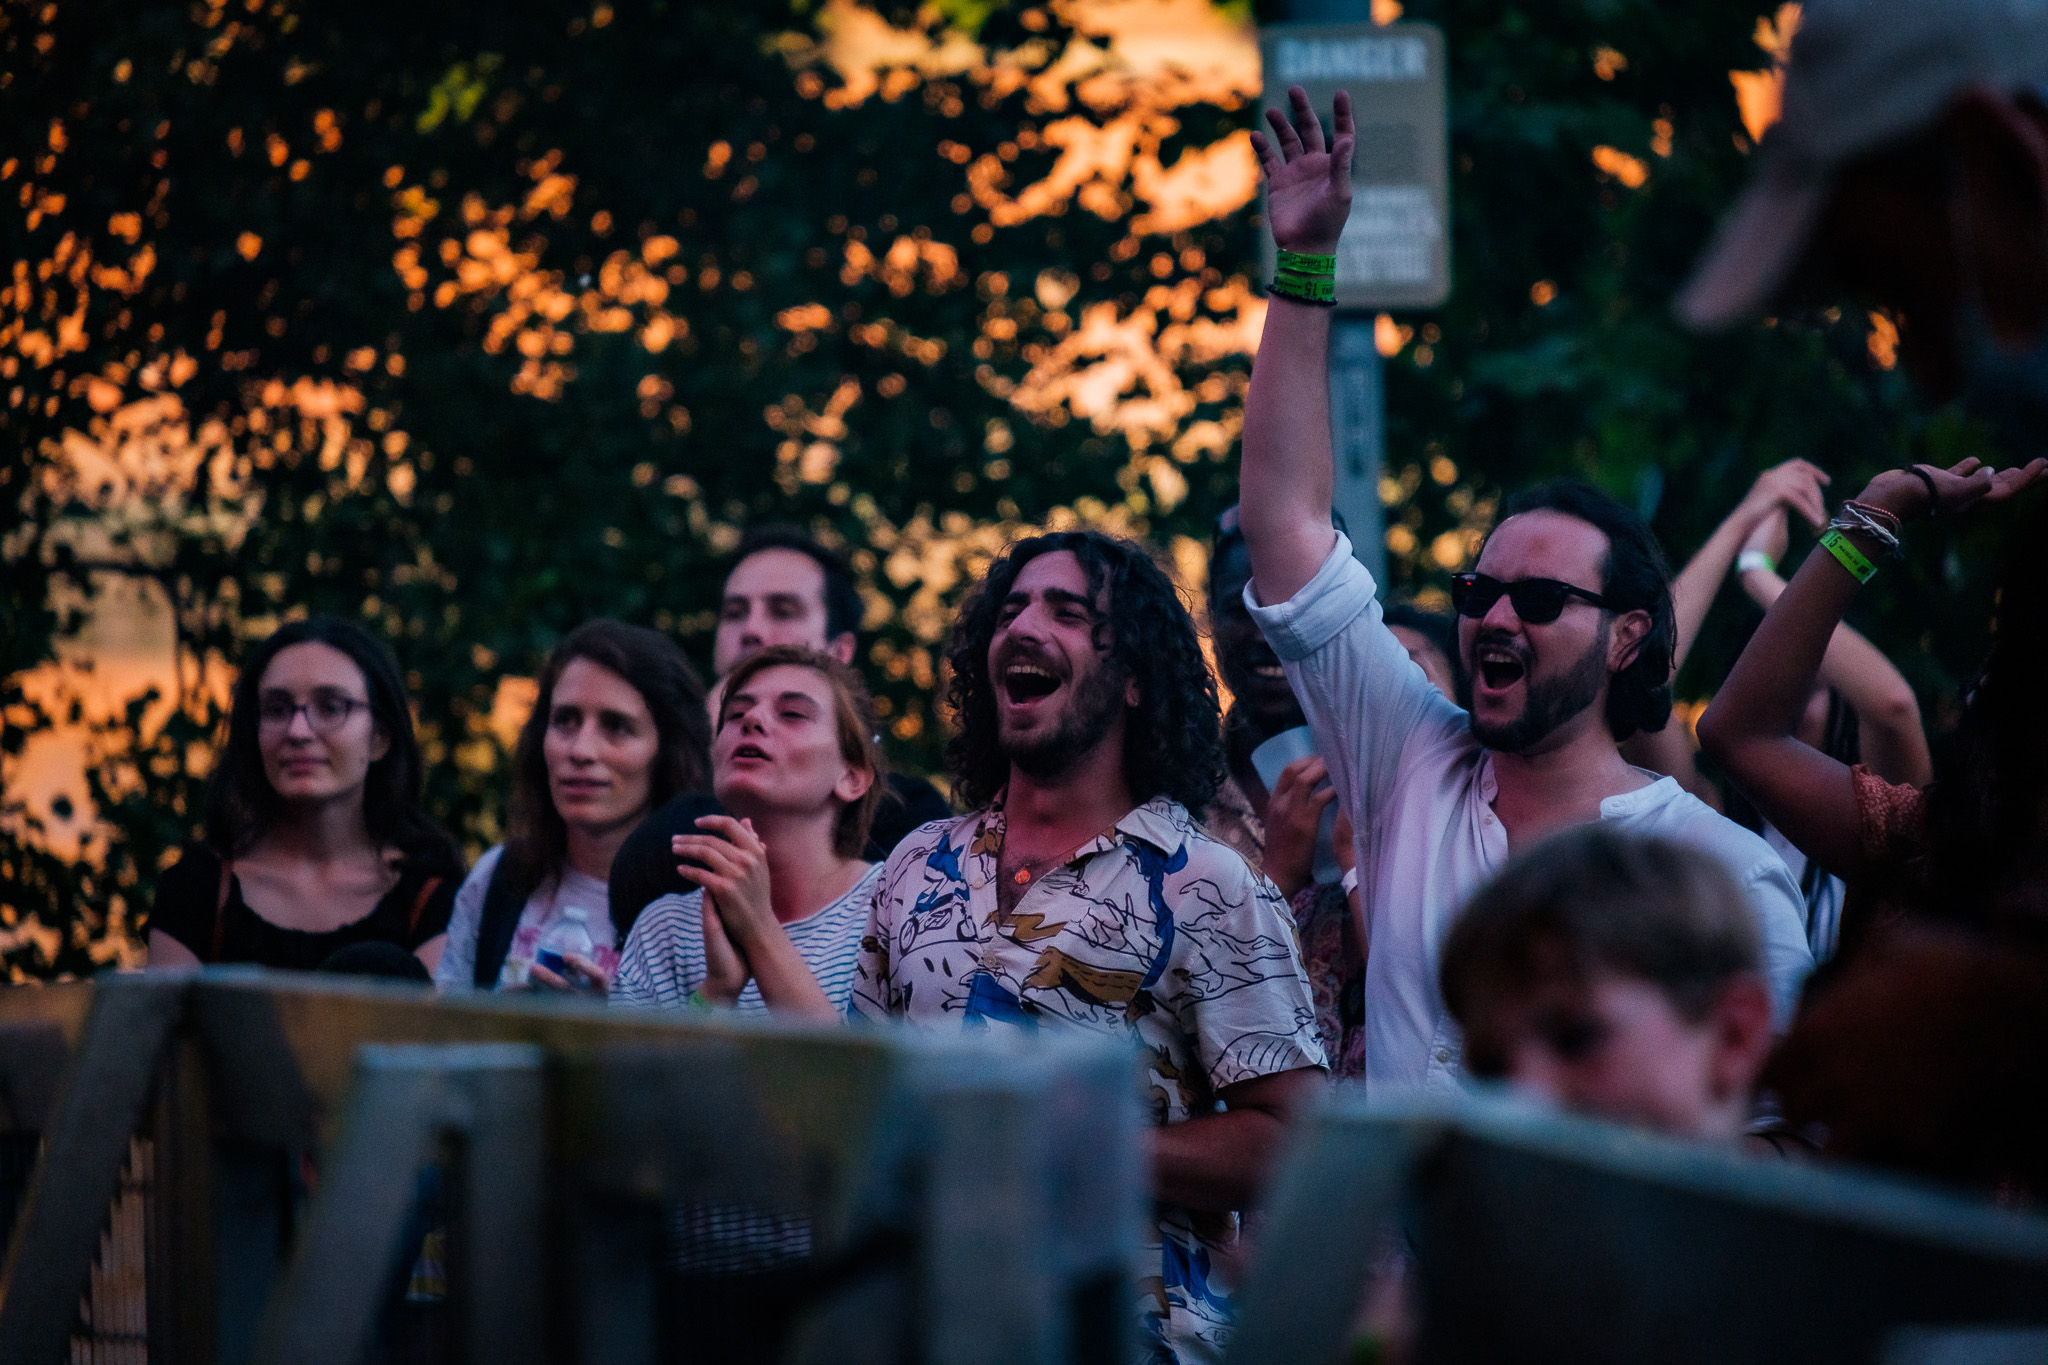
1566 633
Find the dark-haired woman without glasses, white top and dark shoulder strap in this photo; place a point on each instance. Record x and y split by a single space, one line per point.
617 730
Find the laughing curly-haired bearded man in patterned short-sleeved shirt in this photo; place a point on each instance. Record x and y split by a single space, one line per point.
1080 893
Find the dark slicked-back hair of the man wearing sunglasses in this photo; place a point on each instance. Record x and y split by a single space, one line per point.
1635 578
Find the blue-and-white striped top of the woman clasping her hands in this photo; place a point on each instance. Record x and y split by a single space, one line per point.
665 957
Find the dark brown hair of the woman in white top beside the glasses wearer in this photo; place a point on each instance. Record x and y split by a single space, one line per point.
538 840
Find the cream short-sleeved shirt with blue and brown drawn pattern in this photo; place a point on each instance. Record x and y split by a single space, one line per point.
1152 930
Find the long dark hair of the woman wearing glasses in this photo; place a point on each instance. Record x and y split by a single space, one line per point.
241 799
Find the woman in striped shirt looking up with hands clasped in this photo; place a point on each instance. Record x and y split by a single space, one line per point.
783 889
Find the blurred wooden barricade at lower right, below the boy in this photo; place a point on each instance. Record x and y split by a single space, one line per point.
1545 1239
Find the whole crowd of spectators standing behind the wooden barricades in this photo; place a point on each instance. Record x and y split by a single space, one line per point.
1414 852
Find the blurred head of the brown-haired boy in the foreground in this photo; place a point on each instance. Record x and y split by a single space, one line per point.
1619 977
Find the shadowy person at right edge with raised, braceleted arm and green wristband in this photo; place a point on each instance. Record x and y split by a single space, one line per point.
1924 1045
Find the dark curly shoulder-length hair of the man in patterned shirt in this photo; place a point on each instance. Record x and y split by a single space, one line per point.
1177 752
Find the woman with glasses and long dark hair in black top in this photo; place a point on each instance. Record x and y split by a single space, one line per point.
316 840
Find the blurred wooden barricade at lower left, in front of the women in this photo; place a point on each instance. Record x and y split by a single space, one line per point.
962 1198
